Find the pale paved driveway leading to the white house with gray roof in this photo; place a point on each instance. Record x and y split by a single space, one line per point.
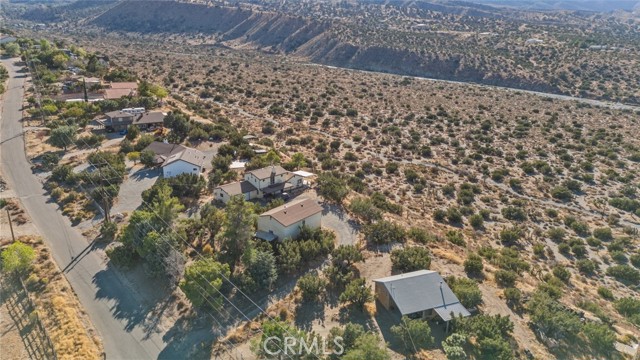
130 195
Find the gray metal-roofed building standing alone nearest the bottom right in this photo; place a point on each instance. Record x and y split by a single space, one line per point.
423 293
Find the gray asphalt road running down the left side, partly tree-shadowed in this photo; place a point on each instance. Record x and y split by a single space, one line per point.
115 308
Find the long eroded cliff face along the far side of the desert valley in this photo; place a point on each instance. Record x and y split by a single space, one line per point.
306 38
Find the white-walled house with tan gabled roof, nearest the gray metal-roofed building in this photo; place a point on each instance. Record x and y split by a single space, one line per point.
286 221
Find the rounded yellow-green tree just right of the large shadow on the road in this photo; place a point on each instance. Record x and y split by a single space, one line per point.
203 280
